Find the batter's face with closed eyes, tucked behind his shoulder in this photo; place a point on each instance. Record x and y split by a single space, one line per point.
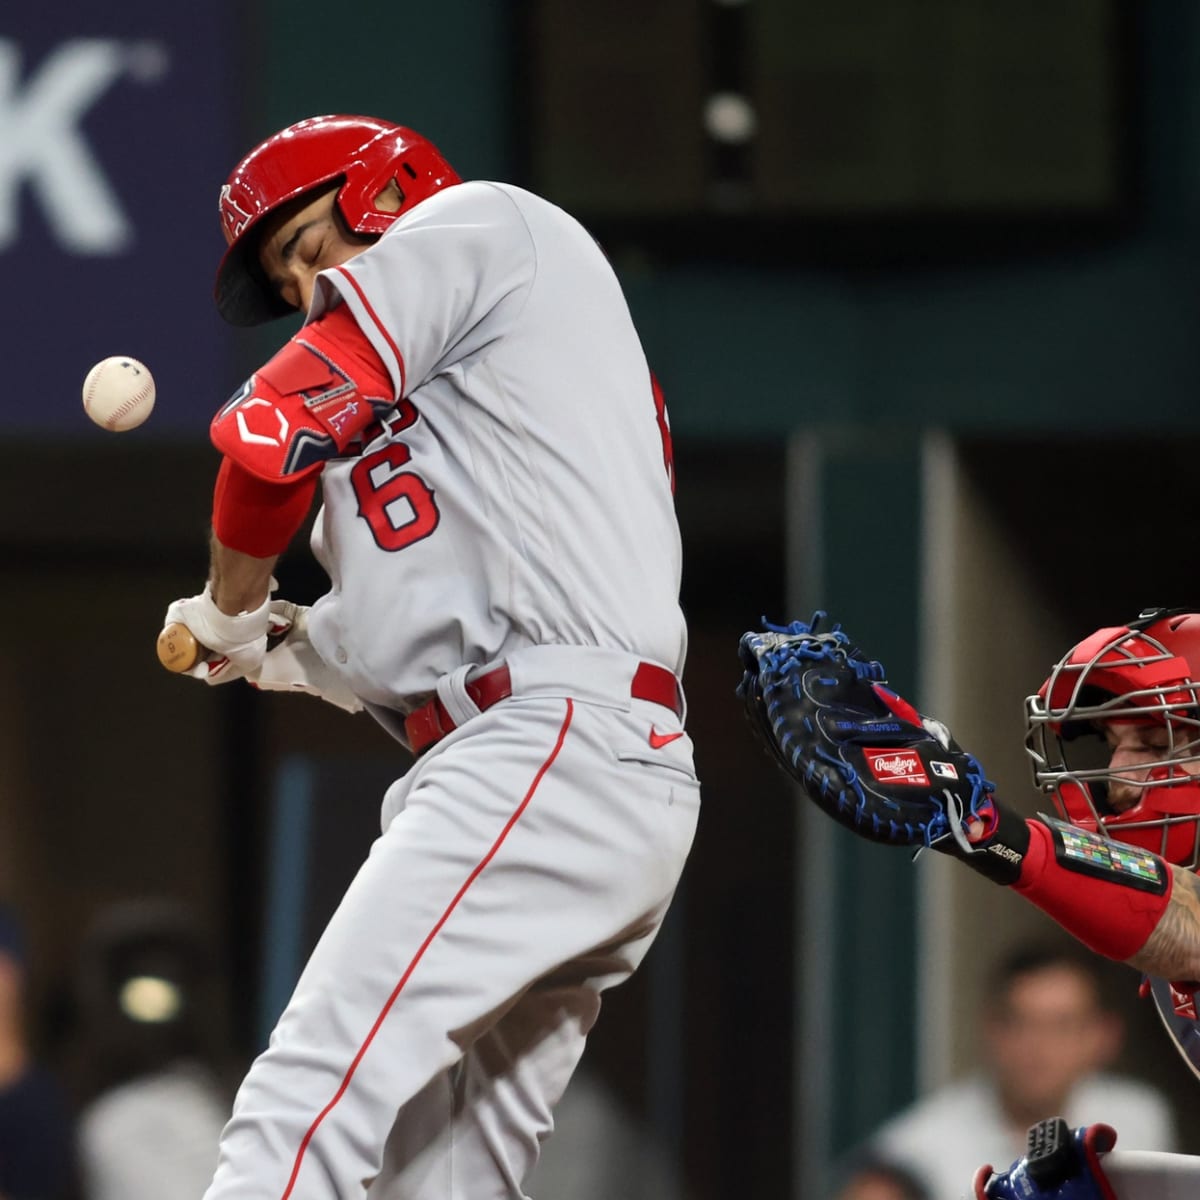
298 243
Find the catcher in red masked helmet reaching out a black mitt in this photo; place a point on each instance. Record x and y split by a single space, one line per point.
1115 867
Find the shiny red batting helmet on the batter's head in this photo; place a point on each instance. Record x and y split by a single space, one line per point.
363 152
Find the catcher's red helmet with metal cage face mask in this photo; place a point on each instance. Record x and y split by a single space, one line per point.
1148 674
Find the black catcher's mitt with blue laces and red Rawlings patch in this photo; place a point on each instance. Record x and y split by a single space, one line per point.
860 752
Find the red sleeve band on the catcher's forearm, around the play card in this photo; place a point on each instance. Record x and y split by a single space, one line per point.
1109 910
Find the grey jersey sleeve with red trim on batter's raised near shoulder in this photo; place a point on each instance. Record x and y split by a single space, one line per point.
442 285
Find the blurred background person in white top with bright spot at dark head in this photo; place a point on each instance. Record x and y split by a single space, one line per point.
155 1103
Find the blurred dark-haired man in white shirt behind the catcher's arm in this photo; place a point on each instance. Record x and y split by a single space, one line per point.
1048 1040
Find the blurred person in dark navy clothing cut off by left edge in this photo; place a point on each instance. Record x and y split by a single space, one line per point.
37 1135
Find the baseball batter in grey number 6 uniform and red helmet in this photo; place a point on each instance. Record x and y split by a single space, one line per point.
499 530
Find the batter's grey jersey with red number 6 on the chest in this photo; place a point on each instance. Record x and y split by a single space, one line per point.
532 503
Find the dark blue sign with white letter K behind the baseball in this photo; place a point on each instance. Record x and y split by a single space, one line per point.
118 125
